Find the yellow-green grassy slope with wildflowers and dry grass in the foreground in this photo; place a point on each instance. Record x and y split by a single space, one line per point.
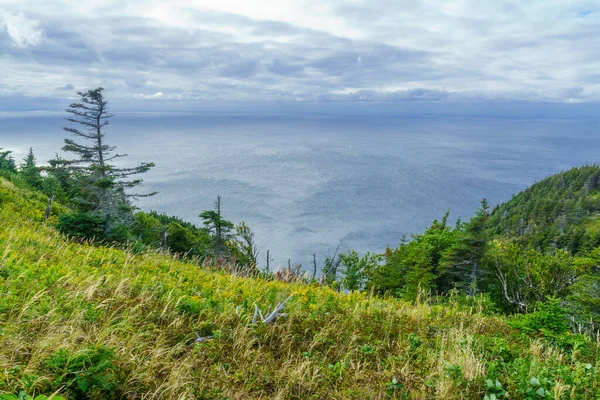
90 322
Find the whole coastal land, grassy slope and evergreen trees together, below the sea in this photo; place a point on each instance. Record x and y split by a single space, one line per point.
482 291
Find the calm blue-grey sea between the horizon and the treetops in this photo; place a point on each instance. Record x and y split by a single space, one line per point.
308 183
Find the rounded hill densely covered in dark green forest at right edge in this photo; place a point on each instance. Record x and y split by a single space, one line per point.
560 211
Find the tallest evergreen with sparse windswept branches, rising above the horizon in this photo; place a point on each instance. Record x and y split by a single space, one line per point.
102 185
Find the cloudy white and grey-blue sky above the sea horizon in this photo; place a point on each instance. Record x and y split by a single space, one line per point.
303 54
